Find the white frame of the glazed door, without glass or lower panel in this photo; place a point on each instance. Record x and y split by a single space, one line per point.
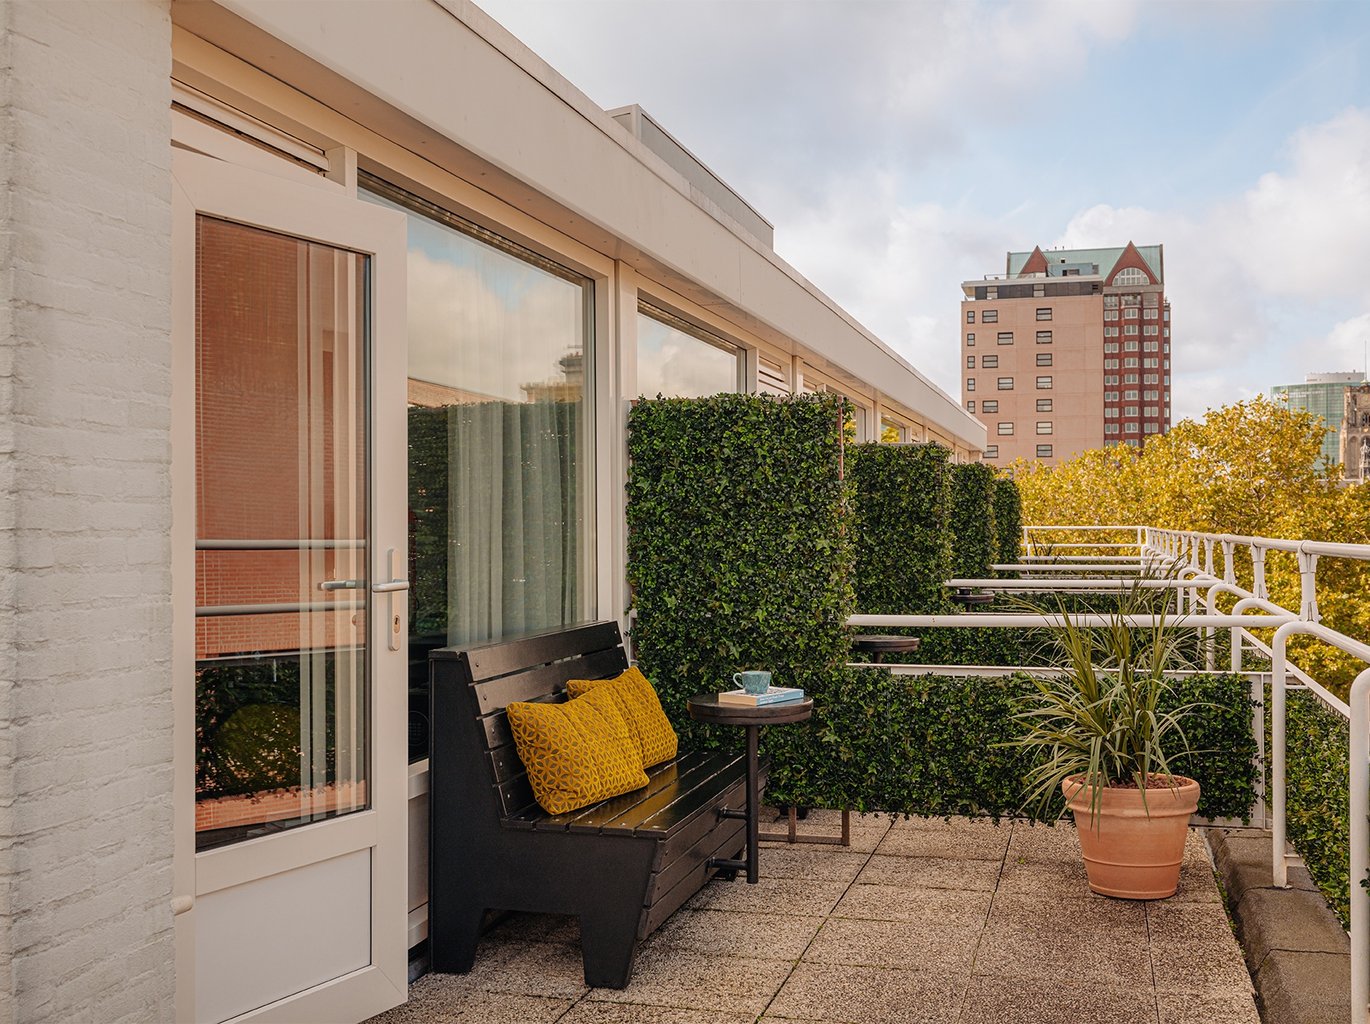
208 186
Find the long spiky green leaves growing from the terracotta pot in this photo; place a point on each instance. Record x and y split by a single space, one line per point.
1102 718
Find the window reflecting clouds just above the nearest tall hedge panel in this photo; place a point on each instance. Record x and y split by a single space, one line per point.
676 360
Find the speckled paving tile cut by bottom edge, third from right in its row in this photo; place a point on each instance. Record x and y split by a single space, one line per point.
868 996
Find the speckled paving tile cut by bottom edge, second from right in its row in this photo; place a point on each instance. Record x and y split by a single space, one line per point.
1057 1001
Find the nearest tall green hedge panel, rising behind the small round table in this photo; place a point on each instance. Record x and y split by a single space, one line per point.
740 550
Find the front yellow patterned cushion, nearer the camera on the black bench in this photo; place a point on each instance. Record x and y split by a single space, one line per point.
576 753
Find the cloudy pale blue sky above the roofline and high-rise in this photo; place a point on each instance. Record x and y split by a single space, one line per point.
902 147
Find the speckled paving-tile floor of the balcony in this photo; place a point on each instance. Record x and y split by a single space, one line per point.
961 922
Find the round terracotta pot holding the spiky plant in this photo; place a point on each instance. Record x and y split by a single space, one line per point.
1134 852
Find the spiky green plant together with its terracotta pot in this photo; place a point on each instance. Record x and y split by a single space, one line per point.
1105 735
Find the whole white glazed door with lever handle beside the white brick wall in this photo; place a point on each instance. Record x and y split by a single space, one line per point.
294 353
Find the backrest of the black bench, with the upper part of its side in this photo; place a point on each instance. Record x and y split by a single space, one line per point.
473 749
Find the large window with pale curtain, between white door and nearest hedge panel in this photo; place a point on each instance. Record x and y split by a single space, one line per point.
499 406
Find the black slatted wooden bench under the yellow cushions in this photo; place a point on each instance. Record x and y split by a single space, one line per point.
623 866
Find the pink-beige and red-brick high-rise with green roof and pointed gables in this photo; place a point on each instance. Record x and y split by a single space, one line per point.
1068 350
